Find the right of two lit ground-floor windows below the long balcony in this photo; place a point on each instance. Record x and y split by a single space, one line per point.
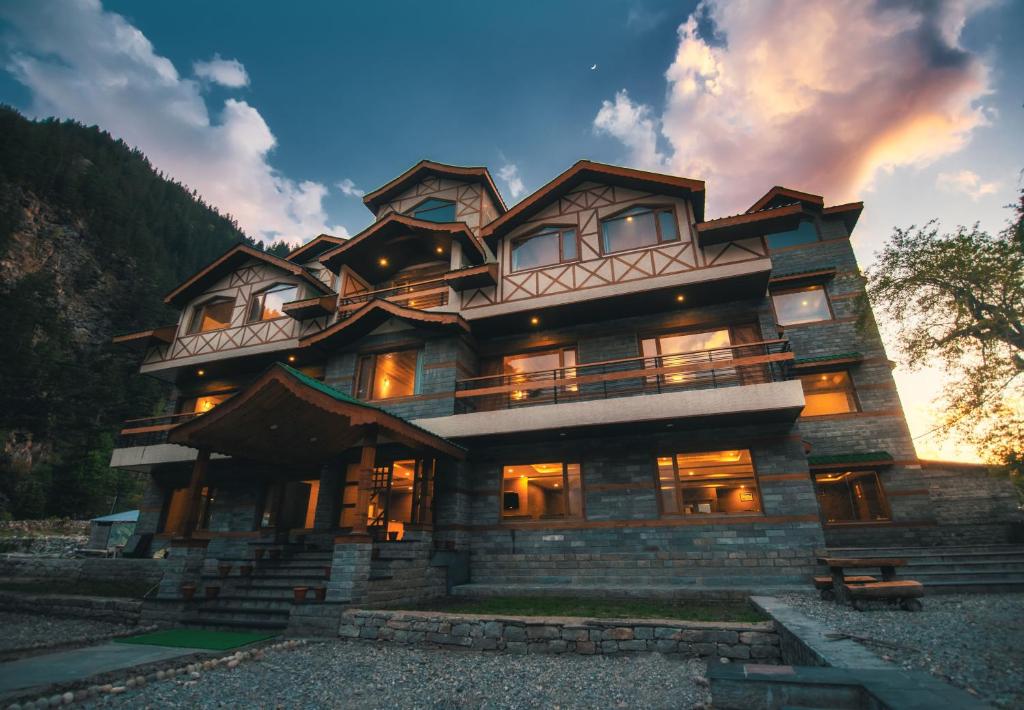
707 483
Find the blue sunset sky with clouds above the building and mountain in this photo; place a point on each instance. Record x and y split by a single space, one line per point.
283 115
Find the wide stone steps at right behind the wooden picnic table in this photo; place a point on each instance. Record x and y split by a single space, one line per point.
954 569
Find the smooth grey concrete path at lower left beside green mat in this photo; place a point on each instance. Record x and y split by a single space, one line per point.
79 664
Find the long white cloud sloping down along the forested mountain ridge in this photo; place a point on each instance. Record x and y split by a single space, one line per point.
81 62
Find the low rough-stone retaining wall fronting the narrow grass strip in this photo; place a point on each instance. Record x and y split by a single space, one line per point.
566 635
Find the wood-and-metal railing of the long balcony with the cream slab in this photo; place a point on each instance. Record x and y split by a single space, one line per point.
723 367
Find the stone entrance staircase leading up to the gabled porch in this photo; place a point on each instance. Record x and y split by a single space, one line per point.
265 599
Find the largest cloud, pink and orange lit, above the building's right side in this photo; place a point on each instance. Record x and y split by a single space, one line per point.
819 97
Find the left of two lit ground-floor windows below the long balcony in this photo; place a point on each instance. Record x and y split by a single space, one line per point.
541 491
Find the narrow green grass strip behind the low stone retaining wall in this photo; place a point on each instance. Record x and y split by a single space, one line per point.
599 609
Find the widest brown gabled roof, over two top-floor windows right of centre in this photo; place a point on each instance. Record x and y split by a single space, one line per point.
586 171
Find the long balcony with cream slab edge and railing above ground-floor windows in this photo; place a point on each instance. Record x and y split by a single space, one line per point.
748 383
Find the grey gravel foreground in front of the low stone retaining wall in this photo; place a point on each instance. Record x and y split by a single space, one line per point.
353 675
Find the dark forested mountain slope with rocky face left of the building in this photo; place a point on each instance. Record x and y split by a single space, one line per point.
92 238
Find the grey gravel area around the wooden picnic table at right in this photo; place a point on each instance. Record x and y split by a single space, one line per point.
975 642
